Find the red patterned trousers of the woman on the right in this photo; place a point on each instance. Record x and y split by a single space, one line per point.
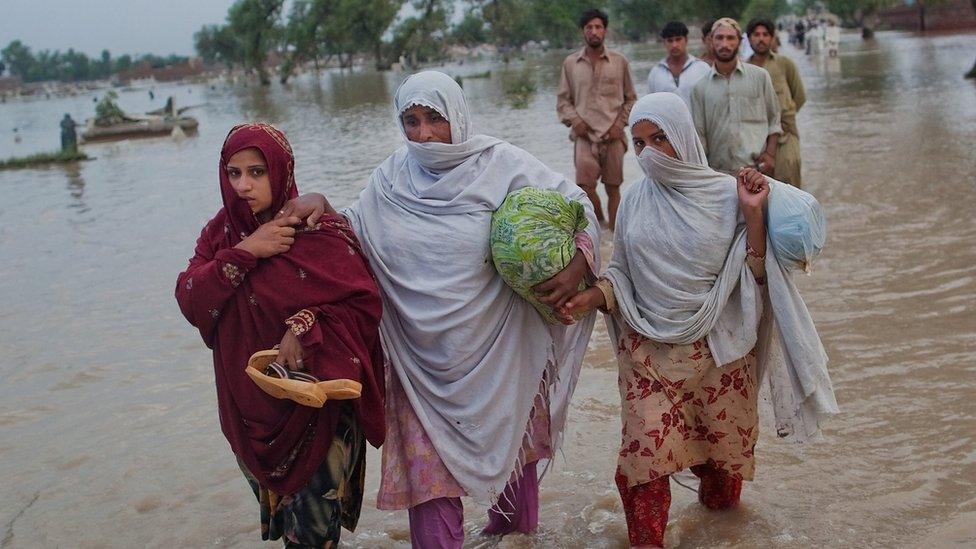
646 505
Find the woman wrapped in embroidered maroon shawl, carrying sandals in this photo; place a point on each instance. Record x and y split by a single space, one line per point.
253 283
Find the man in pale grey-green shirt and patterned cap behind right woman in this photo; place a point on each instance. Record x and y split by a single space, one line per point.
735 108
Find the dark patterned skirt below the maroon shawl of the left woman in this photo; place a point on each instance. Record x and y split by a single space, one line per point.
333 498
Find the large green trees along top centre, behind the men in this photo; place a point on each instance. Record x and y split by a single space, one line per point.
387 31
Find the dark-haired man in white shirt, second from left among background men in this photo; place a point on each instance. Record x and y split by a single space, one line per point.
678 72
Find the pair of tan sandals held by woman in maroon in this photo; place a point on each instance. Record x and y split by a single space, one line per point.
301 387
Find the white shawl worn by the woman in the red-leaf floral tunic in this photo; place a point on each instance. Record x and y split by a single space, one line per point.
679 273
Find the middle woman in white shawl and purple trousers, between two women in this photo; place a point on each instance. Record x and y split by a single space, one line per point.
479 383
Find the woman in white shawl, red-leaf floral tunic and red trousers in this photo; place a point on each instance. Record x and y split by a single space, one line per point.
700 316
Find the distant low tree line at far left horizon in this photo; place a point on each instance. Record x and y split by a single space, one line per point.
72 66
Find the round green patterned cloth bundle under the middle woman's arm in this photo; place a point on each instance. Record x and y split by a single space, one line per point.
533 238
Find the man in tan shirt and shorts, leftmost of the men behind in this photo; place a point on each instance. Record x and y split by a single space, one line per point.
595 96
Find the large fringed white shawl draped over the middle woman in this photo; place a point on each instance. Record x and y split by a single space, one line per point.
468 352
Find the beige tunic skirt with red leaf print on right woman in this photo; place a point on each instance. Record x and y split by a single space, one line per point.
679 409
